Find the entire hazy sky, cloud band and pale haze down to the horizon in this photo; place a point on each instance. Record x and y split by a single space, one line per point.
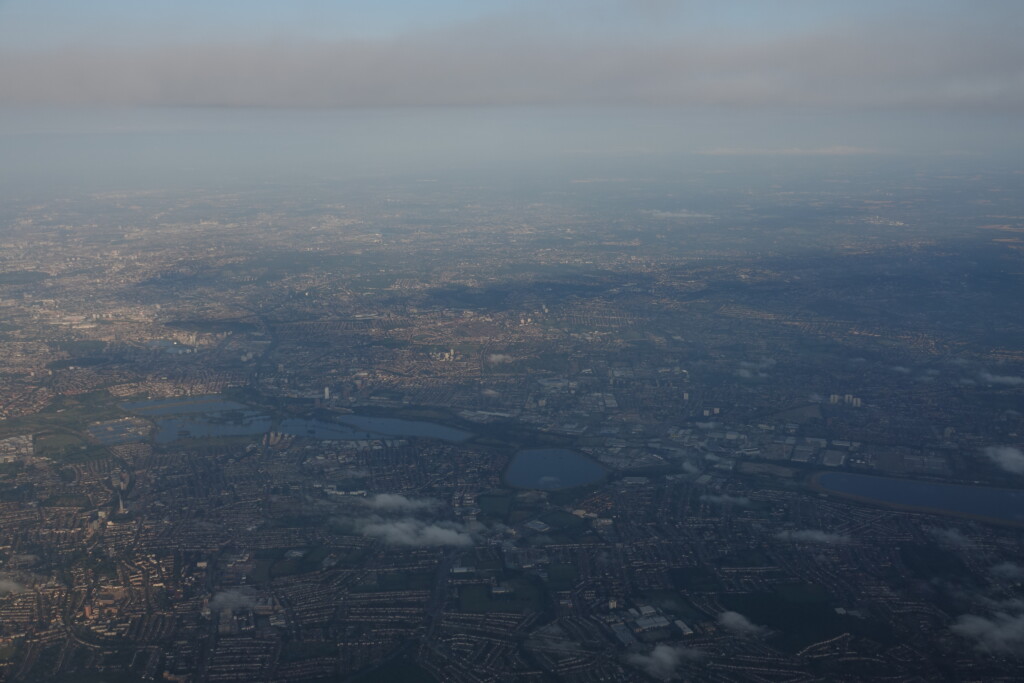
449 79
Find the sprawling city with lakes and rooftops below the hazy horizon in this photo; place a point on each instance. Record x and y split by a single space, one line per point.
705 428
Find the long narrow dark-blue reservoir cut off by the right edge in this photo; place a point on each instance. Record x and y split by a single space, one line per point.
1004 504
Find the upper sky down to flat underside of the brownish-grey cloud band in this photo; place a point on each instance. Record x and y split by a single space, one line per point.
833 54
